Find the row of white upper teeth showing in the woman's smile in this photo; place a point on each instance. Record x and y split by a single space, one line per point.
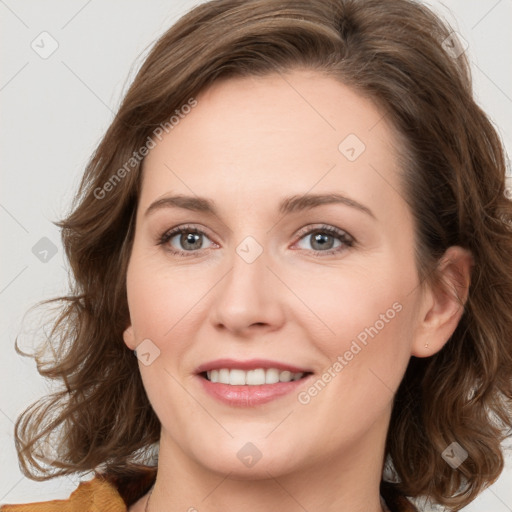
257 377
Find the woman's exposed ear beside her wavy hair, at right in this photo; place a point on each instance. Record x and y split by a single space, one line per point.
443 304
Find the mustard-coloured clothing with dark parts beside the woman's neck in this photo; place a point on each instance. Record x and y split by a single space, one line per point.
111 494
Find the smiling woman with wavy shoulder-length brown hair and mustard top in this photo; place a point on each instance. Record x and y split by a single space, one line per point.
297 222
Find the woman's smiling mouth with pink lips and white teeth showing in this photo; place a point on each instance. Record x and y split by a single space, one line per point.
250 383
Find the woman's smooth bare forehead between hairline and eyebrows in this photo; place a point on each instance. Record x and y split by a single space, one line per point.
261 136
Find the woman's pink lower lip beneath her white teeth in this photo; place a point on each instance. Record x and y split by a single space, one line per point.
249 396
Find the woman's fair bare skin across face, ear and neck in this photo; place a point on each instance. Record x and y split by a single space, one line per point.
249 143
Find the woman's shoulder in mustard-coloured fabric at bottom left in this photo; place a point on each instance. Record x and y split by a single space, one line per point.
90 496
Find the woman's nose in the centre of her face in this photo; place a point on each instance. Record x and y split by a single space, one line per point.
249 298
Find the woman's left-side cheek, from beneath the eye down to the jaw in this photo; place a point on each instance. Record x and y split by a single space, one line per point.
158 304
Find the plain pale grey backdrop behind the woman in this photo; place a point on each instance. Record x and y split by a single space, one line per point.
55 108
